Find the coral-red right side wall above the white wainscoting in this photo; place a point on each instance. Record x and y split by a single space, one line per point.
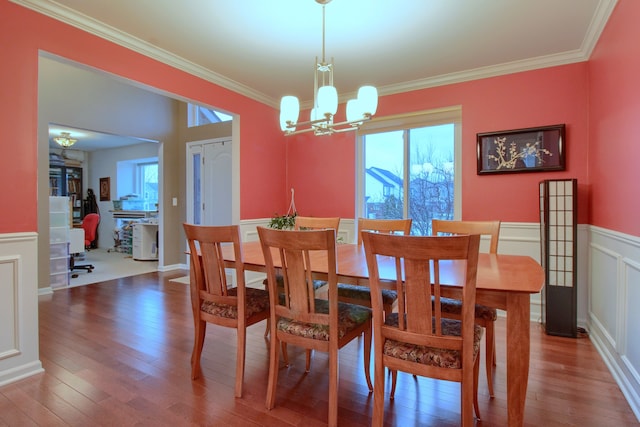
614 112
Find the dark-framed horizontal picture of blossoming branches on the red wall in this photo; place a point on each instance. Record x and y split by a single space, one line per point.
521 150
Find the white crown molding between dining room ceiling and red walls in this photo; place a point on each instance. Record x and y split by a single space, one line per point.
69 16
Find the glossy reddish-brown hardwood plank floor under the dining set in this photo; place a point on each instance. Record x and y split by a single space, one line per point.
117 354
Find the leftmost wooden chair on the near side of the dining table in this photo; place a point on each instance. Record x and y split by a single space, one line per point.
213 301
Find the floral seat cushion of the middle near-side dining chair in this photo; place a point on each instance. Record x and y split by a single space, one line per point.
350 316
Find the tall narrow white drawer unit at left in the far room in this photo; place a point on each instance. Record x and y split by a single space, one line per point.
59 225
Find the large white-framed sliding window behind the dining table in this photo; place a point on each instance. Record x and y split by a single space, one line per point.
408 167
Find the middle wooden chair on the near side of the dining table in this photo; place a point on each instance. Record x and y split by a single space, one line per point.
298 317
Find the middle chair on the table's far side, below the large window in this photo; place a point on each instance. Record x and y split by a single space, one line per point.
353 294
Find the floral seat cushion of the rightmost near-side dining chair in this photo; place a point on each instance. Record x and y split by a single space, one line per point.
428 355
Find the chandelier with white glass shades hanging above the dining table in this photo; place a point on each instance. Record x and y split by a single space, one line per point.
325 102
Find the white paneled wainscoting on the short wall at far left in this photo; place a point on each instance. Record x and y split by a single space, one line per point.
19 356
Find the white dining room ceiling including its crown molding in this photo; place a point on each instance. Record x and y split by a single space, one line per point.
266 49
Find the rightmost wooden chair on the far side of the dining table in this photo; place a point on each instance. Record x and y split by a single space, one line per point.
485 316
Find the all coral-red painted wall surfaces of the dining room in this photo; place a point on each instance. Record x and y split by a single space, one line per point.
598 101
